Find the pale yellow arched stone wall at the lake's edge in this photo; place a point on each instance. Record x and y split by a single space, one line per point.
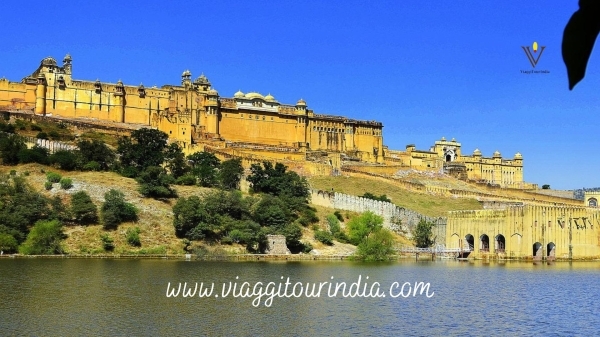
527 231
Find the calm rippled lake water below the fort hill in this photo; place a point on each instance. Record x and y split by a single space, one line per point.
120 297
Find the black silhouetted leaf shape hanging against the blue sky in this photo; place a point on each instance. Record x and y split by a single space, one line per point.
579 38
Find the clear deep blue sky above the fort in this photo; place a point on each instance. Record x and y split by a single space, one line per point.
426 69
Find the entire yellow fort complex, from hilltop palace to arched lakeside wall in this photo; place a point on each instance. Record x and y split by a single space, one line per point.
518 220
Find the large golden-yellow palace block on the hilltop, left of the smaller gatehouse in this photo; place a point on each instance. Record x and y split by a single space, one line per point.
193 112
